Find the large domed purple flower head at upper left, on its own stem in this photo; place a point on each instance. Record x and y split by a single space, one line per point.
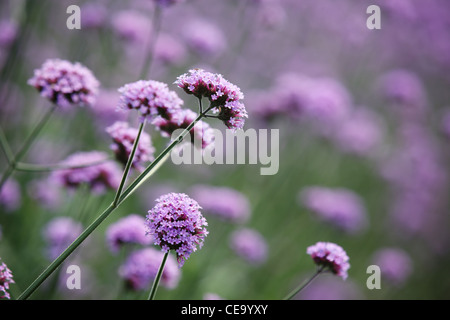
65 83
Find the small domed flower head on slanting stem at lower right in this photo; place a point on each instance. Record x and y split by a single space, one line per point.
330 256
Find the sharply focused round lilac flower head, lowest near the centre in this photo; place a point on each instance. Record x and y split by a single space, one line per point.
177 224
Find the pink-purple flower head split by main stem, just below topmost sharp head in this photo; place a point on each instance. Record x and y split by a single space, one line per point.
181 119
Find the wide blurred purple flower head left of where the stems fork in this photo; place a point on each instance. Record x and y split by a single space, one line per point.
103 174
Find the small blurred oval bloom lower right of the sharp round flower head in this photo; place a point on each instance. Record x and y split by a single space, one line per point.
250 245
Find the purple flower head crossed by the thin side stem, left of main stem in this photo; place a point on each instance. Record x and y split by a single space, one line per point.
123 139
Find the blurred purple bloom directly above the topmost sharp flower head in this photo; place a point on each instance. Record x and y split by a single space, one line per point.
204 38
